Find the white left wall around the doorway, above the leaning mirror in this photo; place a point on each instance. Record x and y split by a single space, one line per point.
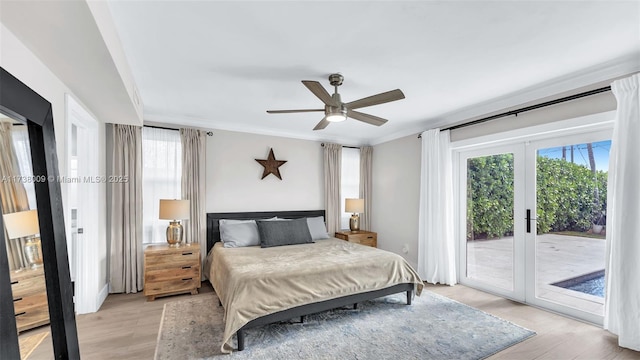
24 65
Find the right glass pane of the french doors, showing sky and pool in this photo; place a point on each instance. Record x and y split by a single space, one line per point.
571 197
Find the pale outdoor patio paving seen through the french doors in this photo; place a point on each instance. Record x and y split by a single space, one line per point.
559 257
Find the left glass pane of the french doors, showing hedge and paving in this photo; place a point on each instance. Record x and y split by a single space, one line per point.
490 247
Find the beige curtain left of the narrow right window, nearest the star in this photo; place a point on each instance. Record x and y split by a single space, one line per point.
332 166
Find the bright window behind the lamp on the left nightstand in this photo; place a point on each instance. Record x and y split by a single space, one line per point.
161 174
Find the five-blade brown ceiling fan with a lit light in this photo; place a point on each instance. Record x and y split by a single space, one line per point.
335 110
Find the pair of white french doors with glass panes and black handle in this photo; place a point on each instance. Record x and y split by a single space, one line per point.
533 220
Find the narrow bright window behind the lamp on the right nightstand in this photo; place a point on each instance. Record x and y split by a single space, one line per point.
350 181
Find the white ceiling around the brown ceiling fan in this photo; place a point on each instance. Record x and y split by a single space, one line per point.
221 65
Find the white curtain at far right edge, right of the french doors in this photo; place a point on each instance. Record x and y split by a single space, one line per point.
622 301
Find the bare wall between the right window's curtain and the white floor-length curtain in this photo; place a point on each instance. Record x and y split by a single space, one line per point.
396 190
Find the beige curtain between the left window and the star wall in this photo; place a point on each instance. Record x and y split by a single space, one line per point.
193 186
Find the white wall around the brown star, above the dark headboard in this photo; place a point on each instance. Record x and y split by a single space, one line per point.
233 175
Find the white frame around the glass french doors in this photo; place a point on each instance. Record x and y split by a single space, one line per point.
461 148
